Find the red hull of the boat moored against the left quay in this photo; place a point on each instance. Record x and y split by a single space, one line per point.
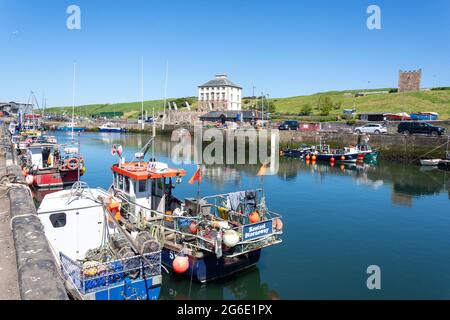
54 178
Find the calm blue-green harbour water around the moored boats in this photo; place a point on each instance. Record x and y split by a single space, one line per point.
337 221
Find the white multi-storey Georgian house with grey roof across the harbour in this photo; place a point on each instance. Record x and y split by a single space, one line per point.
220 94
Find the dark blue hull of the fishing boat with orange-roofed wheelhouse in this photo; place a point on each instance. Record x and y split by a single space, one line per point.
210 267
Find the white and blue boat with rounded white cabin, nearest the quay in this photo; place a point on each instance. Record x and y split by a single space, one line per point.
97 260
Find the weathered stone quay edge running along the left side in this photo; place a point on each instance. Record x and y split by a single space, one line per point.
37 273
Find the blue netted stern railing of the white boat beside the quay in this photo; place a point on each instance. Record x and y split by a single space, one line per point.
95 276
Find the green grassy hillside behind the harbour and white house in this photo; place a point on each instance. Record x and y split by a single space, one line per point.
435 101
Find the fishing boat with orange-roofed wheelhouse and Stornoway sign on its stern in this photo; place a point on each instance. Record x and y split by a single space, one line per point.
204 238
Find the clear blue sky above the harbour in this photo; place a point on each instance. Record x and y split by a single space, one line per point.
284 48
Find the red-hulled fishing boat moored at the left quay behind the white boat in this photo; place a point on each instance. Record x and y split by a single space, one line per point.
48 165
